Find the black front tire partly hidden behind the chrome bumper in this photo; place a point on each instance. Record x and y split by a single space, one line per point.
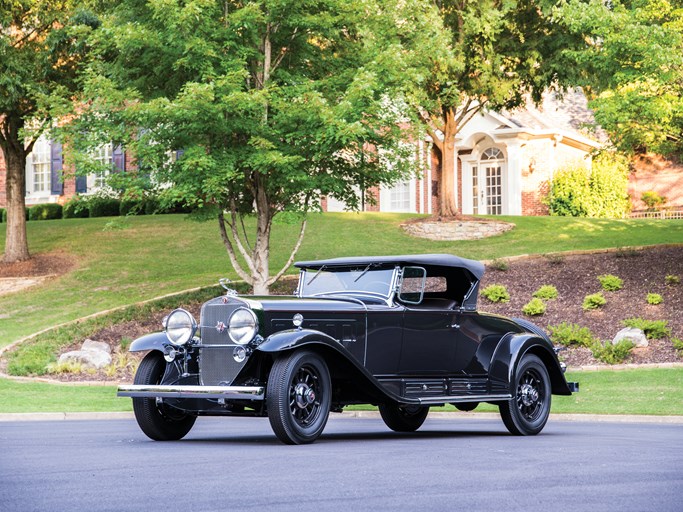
158 421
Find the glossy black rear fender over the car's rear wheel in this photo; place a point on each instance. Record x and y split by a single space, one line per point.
513 347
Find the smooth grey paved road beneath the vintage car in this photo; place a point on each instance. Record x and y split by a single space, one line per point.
237 464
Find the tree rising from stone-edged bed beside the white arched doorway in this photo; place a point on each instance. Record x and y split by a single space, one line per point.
496 53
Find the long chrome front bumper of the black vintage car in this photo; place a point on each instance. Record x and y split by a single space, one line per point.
226 392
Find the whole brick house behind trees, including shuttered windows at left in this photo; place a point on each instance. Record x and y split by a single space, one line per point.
505 162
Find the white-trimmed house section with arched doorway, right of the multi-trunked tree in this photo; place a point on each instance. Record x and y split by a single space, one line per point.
505 161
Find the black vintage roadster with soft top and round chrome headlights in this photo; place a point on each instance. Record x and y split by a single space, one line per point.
400 332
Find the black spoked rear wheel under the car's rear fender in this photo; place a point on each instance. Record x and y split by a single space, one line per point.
527 412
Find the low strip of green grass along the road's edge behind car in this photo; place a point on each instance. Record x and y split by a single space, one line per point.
638 391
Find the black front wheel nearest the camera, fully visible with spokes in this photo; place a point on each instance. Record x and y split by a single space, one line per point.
298 397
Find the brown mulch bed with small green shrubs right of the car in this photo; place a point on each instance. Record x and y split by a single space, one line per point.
642 271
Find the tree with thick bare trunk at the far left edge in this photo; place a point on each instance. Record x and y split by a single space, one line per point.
41 48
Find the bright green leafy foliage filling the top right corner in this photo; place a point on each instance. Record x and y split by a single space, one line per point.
631 65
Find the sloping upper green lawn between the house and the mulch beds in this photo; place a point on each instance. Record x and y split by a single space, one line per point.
160 254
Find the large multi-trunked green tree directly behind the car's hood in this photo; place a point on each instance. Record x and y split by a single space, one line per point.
268 105
